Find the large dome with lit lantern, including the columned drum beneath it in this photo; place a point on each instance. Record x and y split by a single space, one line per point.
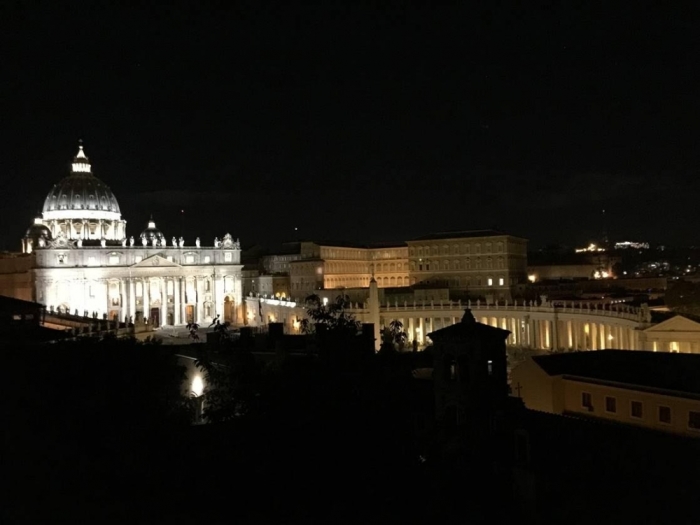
81 206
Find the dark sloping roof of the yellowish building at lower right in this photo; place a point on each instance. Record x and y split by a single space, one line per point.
655 370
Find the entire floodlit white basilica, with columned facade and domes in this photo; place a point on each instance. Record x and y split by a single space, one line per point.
77 259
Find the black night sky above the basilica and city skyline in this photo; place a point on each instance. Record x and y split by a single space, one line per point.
359 123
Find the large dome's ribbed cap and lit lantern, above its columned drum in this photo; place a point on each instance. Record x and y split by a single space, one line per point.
81 195
